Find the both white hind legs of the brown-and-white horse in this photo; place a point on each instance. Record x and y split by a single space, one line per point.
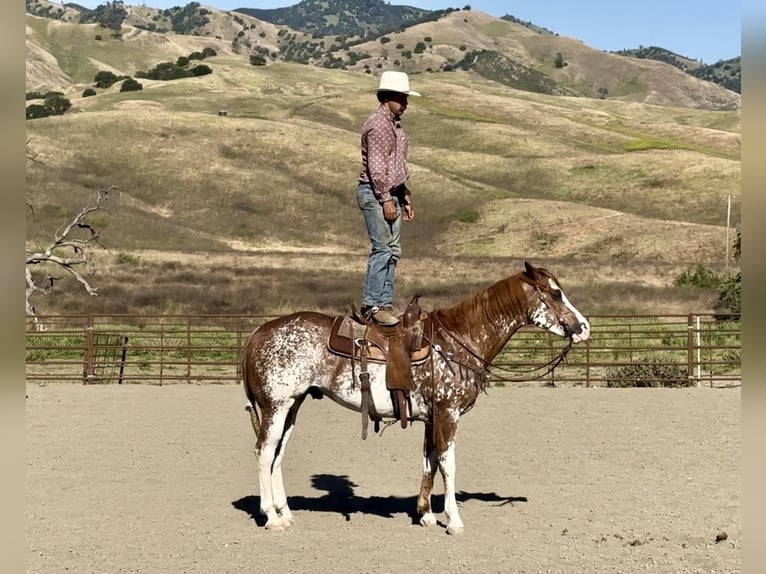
272 429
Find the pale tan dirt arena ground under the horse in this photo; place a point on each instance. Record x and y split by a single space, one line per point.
151 479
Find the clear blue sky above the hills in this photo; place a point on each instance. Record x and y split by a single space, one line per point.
709 30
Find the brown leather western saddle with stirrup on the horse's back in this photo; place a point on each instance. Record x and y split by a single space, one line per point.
398 347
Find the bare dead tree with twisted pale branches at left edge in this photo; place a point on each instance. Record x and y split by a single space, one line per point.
71 251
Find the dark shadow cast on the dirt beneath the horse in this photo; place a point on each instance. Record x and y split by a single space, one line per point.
341 499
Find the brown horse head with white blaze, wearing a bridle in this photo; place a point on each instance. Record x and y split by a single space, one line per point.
550 309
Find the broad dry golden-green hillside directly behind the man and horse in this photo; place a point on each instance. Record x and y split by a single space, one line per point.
255 211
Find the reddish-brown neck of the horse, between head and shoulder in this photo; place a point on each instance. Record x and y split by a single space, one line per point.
486 322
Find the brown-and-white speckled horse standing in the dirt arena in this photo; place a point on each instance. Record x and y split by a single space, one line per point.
287 359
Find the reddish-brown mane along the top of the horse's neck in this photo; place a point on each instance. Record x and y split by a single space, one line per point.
505 298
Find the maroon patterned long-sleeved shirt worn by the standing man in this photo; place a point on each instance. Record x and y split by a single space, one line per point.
384 153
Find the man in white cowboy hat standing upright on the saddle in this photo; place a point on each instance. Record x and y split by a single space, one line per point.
382 194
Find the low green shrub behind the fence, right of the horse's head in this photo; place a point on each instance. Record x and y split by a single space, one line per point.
646 371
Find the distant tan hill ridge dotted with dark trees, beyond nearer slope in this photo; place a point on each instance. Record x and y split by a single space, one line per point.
458 41
